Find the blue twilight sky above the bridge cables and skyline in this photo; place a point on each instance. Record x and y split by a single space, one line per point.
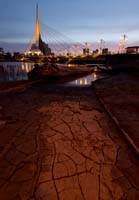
81 20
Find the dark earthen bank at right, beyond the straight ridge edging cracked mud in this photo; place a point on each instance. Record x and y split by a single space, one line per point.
120 96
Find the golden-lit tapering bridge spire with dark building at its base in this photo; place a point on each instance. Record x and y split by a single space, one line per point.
38 47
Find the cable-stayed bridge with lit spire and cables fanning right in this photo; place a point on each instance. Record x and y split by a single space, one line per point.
55 43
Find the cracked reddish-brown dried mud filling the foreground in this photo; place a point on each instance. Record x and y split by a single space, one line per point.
57 142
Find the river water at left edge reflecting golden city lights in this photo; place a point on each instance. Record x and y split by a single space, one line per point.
14 71
